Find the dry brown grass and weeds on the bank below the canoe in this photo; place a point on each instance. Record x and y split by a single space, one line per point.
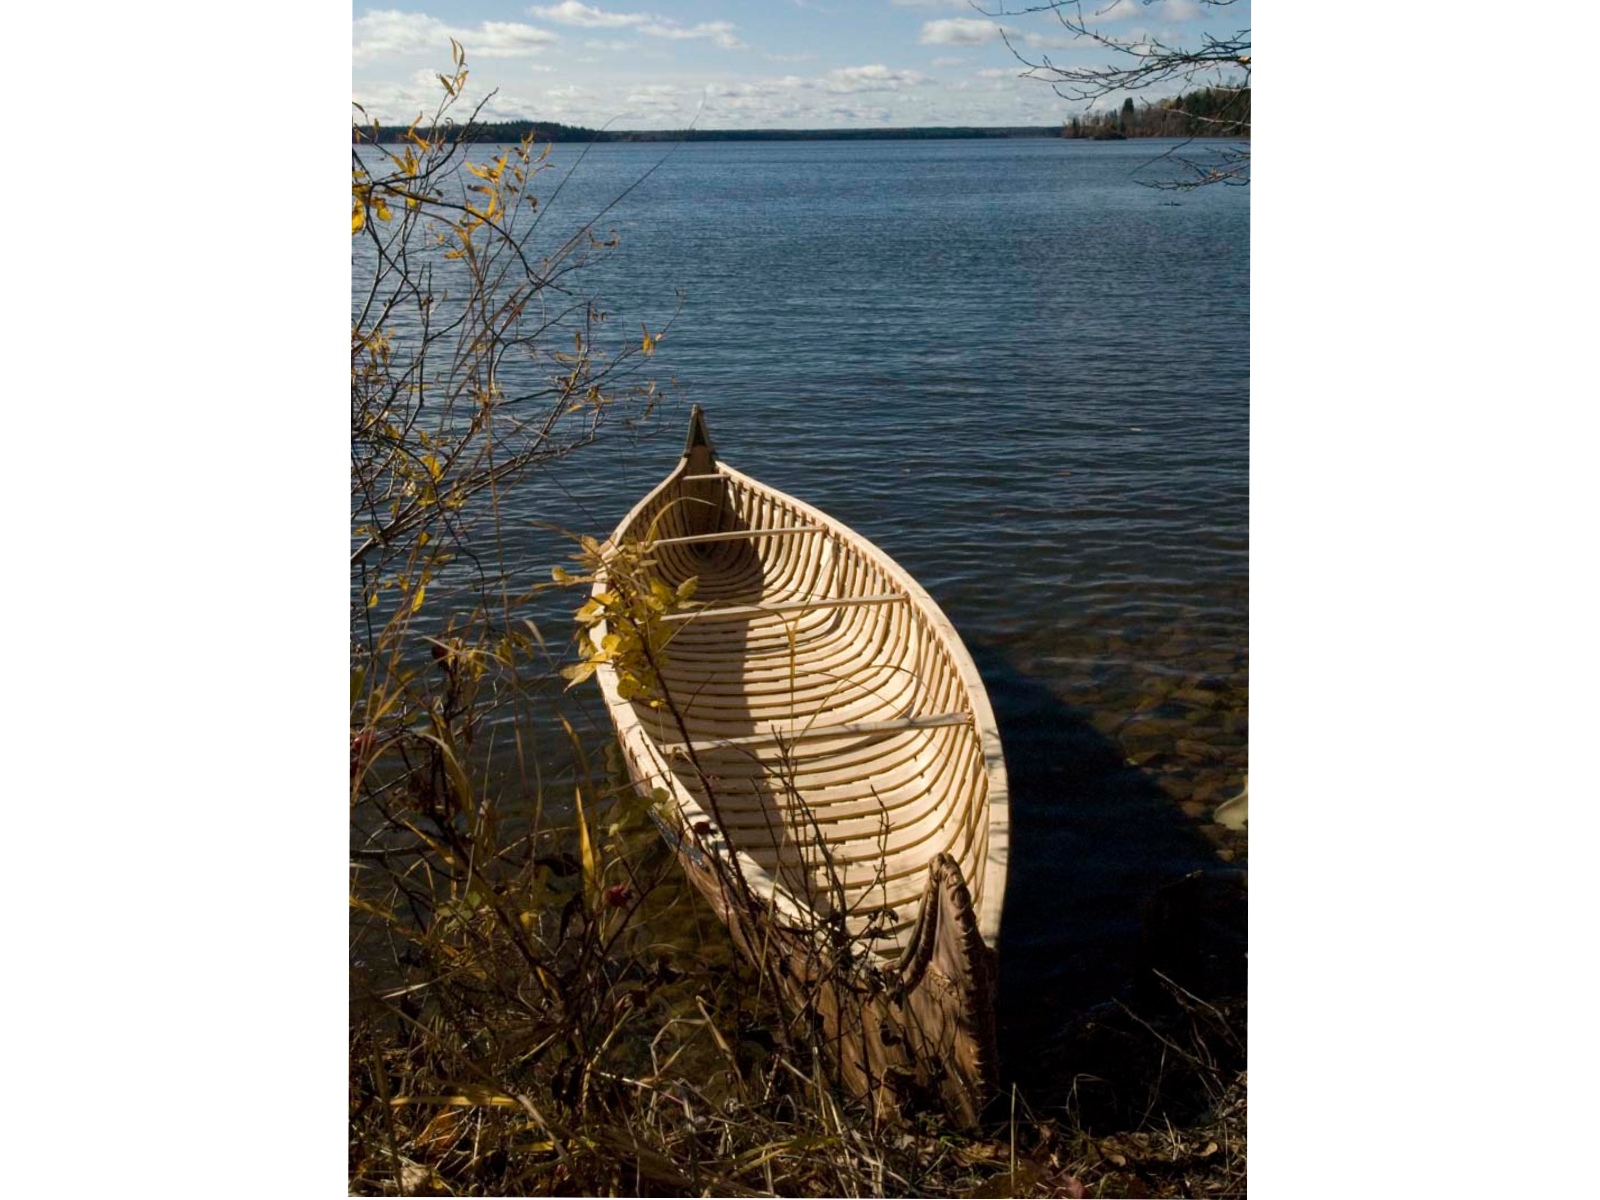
537 1018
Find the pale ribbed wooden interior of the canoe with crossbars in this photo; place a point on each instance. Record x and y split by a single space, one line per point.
844 823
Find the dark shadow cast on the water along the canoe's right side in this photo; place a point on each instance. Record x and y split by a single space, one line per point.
1094 839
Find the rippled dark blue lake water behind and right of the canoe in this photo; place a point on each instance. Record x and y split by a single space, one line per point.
1025 377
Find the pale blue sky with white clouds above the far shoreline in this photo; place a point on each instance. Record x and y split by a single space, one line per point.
650 65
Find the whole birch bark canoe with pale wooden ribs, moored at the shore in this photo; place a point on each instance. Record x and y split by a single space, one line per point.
834 777
